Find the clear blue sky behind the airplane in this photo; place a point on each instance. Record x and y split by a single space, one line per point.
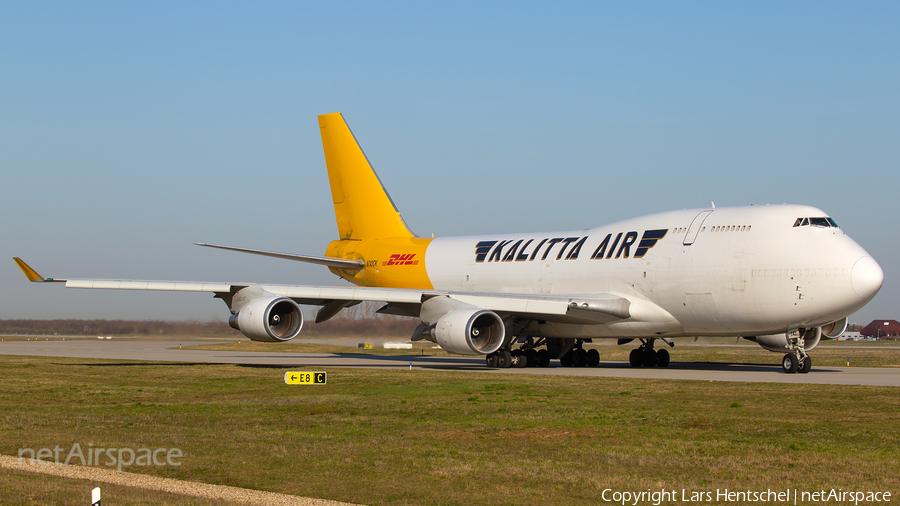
130 130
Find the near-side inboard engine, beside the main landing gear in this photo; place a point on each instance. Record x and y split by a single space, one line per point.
470 332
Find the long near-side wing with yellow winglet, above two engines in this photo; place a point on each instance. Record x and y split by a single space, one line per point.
596 308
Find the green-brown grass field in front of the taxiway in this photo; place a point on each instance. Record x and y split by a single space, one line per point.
430 437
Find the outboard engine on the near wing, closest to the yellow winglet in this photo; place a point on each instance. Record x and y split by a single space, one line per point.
270 319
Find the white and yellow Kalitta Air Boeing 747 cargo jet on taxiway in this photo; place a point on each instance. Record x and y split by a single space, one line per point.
782 276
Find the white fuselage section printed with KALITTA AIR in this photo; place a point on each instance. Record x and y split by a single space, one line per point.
726 271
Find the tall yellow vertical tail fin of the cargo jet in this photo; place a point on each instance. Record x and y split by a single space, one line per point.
362 206
